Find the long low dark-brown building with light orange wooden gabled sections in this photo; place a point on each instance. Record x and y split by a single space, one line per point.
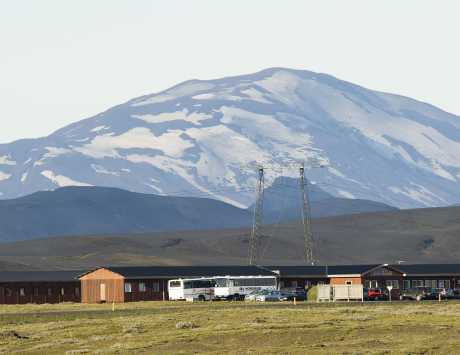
128 284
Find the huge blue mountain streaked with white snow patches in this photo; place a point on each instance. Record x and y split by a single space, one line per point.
200 138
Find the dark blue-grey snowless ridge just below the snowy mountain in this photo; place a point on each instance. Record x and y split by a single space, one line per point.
73 211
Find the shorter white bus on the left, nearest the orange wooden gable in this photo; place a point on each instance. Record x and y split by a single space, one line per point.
201 289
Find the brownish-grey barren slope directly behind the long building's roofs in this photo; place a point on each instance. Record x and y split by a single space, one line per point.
415 236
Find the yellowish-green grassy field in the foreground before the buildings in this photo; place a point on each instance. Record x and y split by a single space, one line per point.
238 328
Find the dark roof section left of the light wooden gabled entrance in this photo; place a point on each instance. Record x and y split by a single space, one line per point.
39 276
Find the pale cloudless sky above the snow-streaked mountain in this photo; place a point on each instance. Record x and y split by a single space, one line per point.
62 61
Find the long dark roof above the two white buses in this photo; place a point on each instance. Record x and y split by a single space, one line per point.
137 272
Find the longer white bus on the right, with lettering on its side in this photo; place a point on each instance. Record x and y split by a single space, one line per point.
236 287
